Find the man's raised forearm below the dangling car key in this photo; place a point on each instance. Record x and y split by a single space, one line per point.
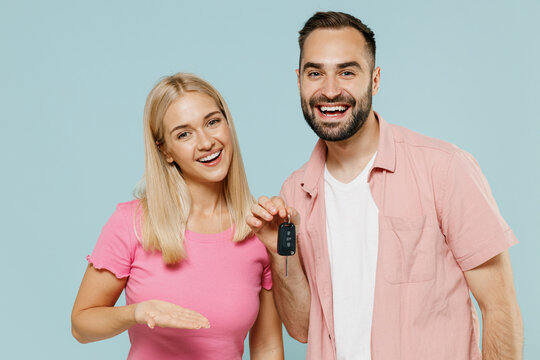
292 295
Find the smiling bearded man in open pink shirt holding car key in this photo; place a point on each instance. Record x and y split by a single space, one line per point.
394 228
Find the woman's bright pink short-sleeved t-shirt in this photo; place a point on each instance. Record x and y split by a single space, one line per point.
220 279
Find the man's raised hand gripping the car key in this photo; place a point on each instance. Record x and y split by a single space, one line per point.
266 216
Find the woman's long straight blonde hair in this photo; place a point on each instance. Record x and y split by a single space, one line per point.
163 195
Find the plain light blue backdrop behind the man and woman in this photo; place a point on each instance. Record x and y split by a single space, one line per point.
74 77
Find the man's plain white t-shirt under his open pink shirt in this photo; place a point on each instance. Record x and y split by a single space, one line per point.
352 227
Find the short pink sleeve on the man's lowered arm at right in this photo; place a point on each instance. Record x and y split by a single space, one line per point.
474 228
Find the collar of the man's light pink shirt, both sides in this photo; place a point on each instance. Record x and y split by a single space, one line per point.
385 159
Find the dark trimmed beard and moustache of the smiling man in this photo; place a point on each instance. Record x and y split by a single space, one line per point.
338 131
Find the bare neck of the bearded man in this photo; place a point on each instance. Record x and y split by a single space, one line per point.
347 158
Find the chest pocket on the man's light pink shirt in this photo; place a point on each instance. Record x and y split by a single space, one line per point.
408 247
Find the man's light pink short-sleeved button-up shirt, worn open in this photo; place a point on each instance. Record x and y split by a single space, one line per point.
437 219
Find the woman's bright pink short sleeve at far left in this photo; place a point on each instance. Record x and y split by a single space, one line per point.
113 250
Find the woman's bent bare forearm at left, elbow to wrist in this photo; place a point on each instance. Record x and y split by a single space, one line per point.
100 323
